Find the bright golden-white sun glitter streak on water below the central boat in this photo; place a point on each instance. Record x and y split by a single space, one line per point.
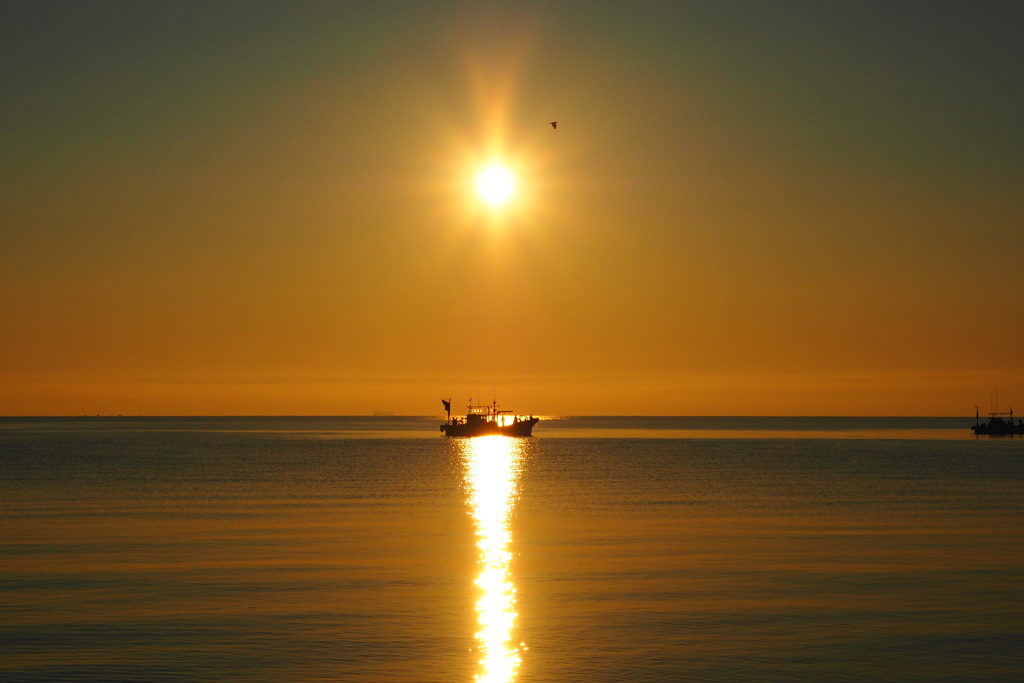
492 467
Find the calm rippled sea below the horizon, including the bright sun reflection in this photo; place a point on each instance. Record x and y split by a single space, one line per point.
605 549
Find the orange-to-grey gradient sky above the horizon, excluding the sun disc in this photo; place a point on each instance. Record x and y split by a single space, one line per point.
748 208
